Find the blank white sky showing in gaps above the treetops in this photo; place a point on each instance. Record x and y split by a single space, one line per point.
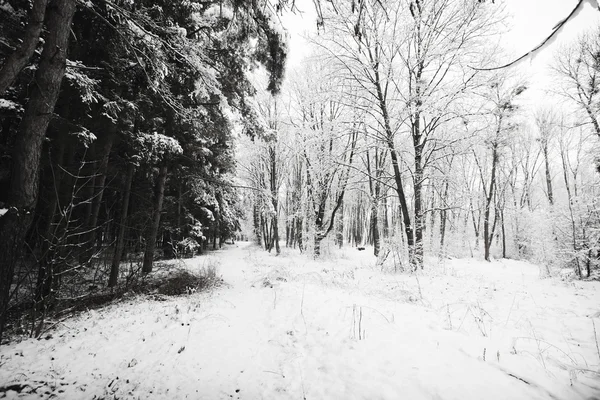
530 22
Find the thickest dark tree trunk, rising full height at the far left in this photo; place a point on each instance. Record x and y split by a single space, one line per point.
27 151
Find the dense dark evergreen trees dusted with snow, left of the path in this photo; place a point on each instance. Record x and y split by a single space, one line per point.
117 133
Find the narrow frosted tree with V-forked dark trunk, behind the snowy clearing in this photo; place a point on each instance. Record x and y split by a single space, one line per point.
326 138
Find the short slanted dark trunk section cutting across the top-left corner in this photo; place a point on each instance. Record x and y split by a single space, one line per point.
15 63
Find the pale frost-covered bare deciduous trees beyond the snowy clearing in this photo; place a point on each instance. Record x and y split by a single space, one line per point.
399 132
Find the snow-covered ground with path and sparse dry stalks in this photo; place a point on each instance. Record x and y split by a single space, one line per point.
289 327
